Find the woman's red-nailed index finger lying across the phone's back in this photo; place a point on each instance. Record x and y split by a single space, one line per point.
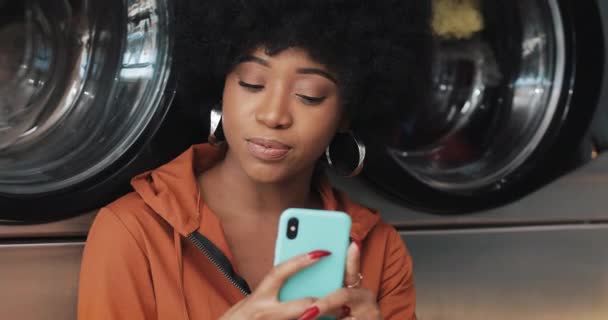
279 274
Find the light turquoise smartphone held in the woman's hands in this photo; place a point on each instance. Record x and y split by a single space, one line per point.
305 230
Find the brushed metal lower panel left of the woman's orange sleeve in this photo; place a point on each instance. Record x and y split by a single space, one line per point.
39 281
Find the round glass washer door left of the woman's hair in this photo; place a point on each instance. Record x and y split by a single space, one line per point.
84 86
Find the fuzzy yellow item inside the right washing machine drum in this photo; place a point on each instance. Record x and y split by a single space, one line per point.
456 19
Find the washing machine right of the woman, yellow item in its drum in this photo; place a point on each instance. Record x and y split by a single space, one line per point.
498 186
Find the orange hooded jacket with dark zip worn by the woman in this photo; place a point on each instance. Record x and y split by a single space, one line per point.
141 262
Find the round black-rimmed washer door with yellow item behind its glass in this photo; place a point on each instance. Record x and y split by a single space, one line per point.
515 84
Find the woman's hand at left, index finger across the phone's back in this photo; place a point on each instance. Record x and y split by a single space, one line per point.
263 303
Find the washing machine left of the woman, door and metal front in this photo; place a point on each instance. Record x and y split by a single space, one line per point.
88 99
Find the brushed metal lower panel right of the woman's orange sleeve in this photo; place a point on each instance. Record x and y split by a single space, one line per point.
525 273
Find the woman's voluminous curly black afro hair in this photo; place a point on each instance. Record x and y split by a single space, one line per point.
380 50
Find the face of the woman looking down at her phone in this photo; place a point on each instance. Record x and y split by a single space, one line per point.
279 114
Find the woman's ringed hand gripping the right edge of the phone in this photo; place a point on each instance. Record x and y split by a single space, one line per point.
351 302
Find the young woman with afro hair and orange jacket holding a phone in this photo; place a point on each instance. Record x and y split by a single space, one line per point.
195 240
